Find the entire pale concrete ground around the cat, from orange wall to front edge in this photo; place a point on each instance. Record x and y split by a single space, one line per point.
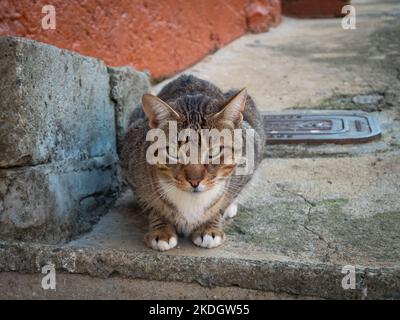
311 210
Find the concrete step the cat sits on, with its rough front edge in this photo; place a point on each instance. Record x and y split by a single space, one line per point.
304 221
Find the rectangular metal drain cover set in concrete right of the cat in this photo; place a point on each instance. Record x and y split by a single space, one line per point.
320 127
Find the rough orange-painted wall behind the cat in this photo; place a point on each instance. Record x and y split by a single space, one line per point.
162 36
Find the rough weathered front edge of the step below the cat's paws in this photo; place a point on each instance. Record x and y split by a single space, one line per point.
289 277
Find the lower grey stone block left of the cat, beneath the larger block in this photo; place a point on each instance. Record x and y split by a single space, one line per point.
54 202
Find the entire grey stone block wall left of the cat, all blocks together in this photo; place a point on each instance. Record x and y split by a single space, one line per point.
60 117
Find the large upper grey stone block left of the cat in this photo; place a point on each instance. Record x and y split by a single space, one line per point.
55 105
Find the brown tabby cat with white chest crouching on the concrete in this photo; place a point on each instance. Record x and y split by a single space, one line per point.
188 199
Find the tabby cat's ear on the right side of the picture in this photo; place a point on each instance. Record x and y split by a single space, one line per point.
233 109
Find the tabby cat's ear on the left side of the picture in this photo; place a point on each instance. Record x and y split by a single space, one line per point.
157 110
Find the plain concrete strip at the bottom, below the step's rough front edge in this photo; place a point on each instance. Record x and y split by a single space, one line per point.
72 286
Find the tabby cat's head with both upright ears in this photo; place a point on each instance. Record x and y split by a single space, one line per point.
196 112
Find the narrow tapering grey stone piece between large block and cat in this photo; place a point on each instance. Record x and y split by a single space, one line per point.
127 88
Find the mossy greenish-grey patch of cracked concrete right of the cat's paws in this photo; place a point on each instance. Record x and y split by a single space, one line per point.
293 227
